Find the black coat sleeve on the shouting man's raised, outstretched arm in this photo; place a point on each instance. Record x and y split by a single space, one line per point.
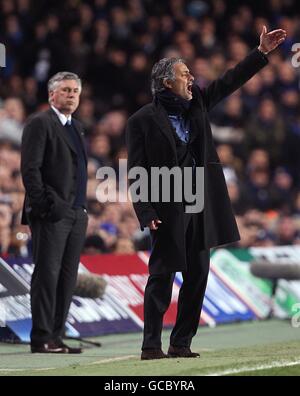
233 78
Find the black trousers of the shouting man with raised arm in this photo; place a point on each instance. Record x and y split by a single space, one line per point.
158 294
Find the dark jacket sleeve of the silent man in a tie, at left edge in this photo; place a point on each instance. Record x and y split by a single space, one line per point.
32 153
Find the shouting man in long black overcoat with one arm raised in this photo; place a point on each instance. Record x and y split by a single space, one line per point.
174 131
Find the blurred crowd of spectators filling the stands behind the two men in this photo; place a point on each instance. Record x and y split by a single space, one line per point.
112 45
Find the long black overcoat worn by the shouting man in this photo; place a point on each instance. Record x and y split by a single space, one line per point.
151 143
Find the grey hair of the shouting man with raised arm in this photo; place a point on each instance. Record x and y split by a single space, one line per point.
163 70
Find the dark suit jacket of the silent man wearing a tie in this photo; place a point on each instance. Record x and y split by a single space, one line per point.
48 167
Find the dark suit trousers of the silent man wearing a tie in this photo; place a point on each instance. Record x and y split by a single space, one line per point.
56 254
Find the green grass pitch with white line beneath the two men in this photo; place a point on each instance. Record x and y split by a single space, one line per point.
253 348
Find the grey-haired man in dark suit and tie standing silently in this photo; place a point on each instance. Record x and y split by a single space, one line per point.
54 171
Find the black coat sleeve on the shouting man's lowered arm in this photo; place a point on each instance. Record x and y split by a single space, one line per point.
137 158
